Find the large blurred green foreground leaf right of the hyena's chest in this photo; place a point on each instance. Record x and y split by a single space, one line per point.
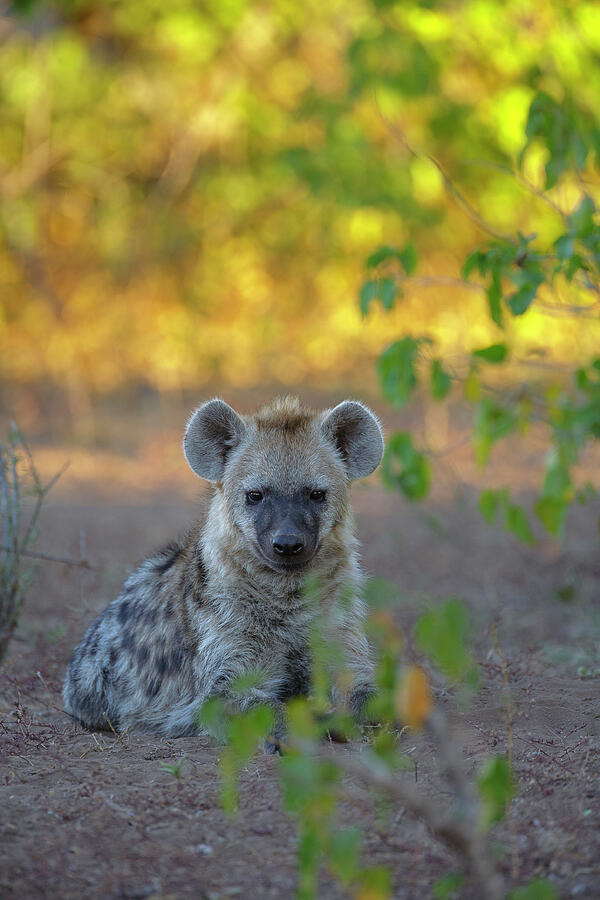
443 634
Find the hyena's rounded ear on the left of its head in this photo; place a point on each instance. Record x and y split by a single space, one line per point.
214 429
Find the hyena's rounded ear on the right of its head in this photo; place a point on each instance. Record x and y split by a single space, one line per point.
357 434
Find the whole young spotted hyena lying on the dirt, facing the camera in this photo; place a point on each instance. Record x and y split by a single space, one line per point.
228 599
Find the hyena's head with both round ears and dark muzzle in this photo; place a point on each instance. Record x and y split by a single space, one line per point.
284 472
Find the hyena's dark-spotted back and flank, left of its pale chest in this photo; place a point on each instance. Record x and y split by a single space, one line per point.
133 668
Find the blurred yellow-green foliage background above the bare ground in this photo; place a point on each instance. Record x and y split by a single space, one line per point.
189 190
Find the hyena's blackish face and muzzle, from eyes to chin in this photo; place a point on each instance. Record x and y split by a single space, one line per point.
287 528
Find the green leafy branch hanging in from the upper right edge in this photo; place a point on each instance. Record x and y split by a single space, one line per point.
515 274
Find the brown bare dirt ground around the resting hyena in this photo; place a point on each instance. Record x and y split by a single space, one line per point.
86 815
